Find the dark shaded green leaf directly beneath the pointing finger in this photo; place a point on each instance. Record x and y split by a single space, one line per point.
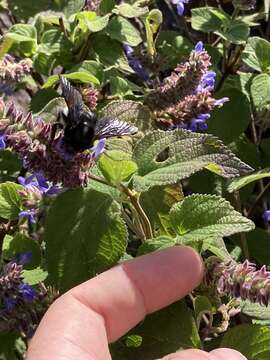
163 332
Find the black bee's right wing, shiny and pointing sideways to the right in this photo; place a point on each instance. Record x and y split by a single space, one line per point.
109 127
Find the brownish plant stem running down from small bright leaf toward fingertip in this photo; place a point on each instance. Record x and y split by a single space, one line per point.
134 198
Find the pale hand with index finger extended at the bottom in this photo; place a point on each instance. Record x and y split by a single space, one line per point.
81 323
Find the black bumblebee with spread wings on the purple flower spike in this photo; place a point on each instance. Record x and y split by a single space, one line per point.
82 127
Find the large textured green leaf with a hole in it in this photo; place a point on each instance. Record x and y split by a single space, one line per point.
185 153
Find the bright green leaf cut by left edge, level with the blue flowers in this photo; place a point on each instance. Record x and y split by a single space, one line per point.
10 202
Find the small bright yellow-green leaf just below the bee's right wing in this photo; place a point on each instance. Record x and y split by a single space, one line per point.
116 167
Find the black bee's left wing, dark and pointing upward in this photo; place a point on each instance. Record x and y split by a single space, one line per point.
72 97
